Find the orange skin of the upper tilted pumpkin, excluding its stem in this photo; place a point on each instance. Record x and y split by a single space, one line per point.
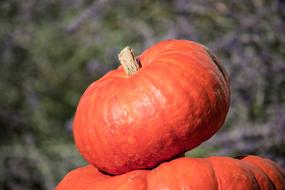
178 99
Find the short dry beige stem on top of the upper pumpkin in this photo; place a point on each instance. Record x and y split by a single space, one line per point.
128 61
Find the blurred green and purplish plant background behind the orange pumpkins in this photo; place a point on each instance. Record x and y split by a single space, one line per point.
51 50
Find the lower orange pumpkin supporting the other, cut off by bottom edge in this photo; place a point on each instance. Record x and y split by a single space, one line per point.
213 173
